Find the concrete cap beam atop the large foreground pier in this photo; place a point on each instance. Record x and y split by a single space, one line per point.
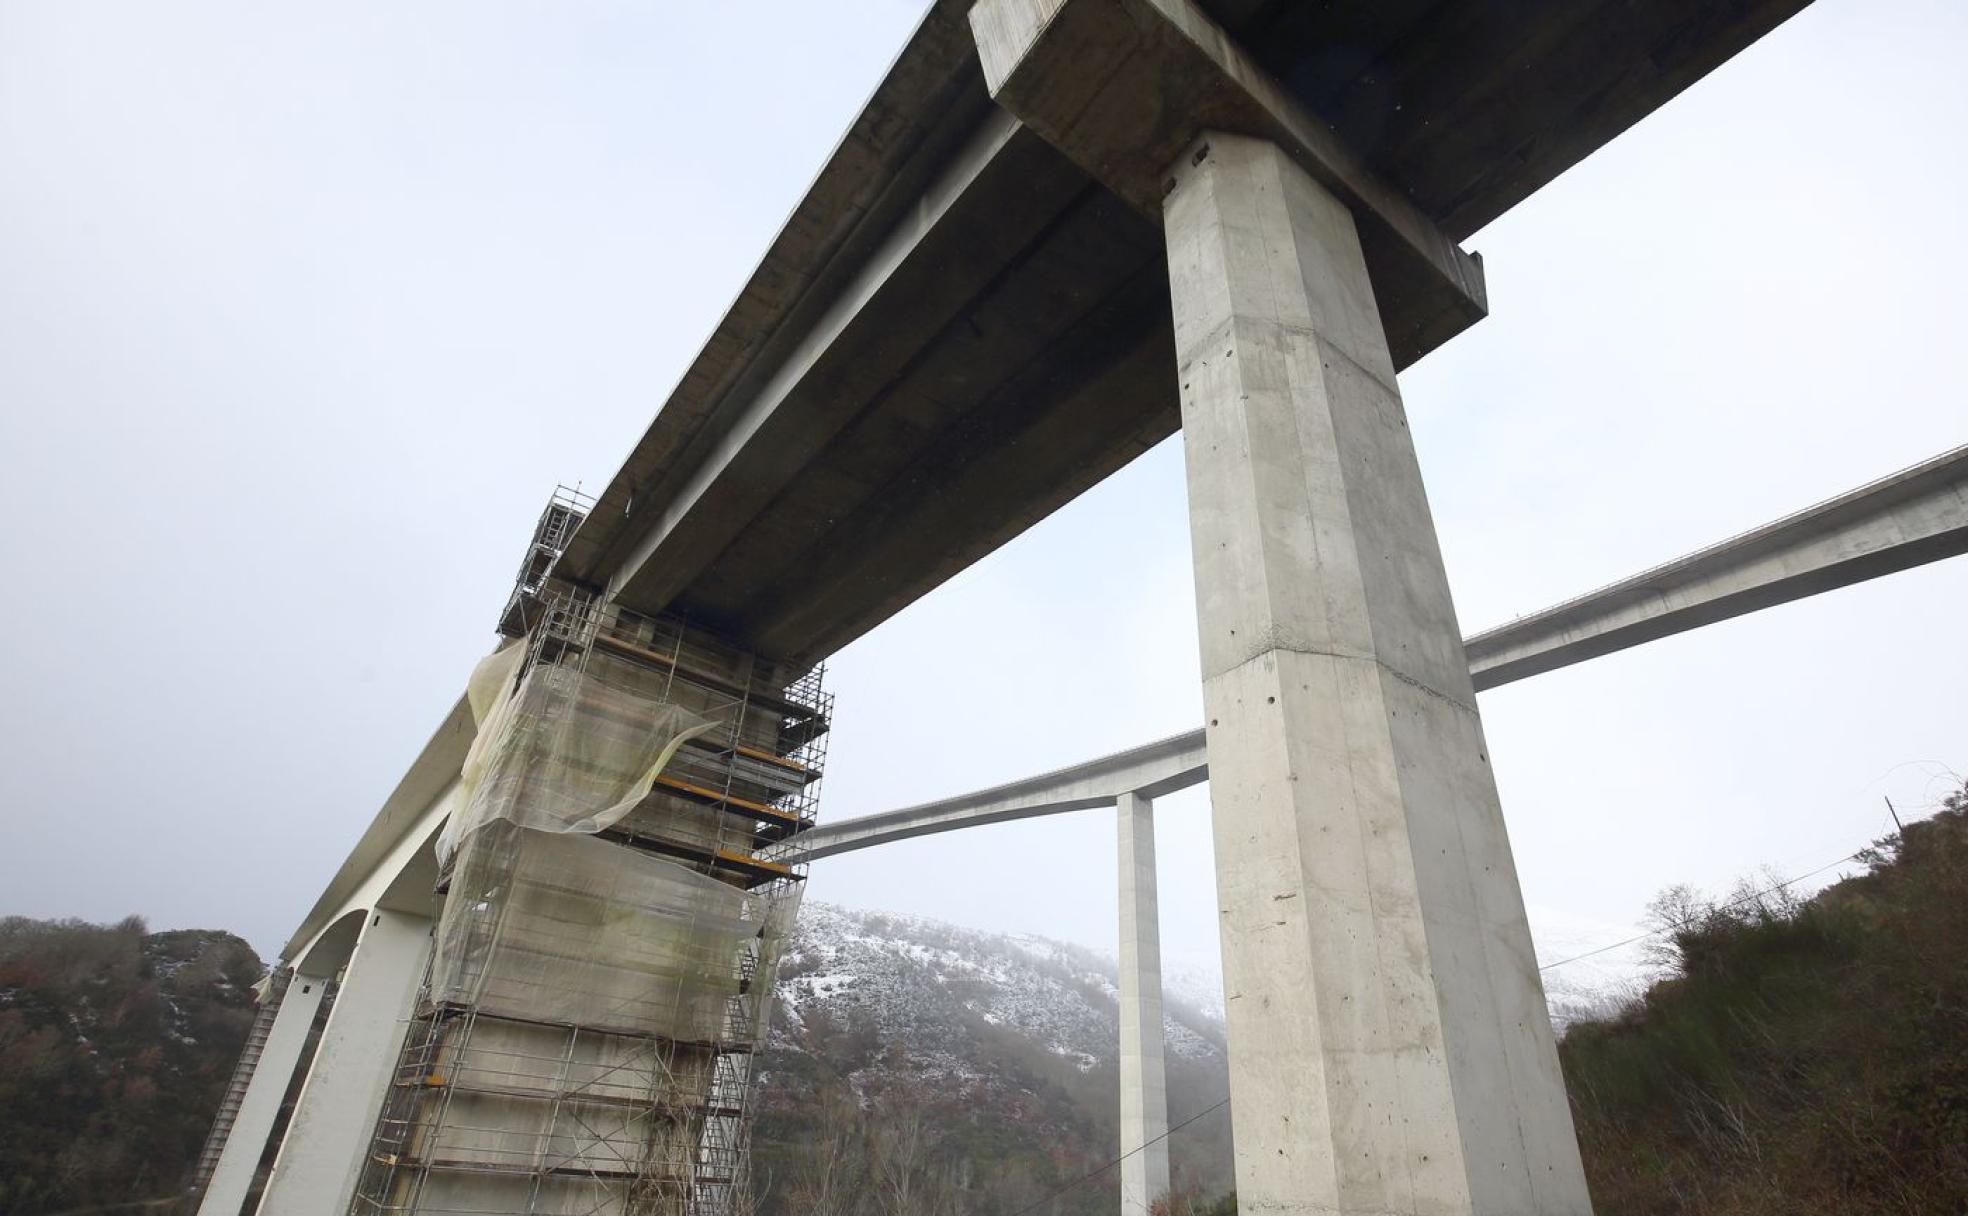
1125 88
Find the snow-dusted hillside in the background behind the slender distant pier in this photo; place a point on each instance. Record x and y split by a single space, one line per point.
1005 1050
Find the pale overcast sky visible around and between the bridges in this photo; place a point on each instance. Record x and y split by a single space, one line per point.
304 310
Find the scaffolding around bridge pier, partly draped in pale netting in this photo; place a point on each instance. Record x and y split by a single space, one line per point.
603 971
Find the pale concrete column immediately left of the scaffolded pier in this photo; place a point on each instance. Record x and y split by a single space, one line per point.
336 1117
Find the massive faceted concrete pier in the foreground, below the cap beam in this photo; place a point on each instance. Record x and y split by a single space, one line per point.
1388 1038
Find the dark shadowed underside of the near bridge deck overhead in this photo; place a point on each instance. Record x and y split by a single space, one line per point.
859 430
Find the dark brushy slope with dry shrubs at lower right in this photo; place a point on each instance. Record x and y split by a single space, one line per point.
1802 1056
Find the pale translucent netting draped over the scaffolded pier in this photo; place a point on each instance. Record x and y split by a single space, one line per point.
550 924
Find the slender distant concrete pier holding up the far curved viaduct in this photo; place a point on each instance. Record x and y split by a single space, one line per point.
1144 1095
